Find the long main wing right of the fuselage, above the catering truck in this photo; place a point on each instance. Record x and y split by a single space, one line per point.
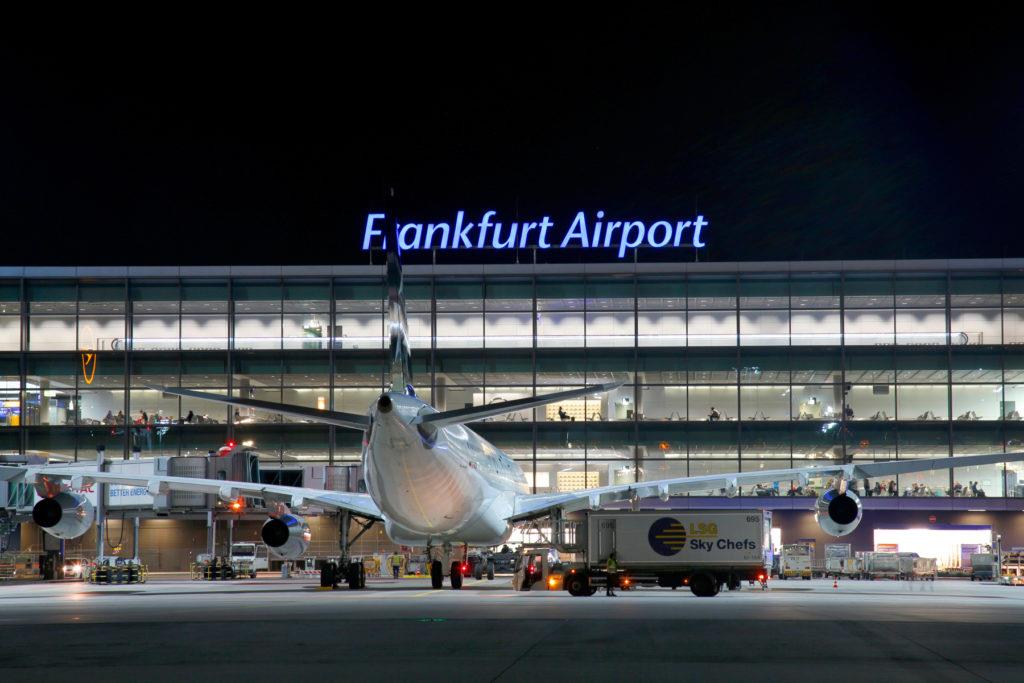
536 505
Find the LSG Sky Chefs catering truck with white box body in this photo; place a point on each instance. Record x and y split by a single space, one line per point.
704 550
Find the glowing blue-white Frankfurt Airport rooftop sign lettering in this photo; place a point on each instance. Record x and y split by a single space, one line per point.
584 232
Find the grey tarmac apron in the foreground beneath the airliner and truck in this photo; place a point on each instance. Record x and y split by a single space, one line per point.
273 629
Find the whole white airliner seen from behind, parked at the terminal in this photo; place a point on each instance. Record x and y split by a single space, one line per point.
434 482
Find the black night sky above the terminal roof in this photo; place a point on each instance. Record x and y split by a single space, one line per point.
800 134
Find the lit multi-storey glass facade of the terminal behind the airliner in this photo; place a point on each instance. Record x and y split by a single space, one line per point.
722 371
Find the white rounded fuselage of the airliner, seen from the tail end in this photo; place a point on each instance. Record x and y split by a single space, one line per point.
437 486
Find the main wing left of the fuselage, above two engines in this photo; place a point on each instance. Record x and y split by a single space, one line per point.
295 497
